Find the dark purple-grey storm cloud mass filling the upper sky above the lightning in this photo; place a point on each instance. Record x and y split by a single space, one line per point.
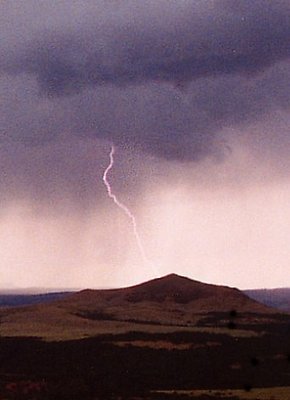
165 77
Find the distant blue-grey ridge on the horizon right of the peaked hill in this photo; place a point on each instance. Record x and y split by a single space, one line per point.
277 298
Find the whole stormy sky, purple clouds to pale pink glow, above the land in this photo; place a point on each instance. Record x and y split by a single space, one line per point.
194 96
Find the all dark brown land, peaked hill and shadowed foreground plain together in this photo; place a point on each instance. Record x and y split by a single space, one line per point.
169 338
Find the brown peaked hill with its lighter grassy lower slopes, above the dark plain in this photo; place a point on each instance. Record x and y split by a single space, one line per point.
165 304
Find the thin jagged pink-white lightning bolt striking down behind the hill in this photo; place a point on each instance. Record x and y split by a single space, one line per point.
123 207
